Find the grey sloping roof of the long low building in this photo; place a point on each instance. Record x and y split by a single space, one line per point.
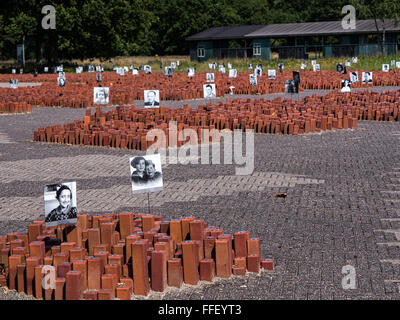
291 30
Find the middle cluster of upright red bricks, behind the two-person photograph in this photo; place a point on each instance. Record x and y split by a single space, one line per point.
127 127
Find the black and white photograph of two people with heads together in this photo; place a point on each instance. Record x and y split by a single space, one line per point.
146 173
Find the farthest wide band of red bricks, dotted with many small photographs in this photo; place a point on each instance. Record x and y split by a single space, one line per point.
78 92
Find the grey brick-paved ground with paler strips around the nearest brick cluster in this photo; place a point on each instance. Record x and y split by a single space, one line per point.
342 208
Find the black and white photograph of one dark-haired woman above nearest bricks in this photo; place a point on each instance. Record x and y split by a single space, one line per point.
60 204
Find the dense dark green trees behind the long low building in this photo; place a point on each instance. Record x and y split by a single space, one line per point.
108 28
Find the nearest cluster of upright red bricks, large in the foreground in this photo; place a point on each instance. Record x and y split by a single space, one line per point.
116 255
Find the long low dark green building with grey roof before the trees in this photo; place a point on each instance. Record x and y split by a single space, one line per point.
295 40
